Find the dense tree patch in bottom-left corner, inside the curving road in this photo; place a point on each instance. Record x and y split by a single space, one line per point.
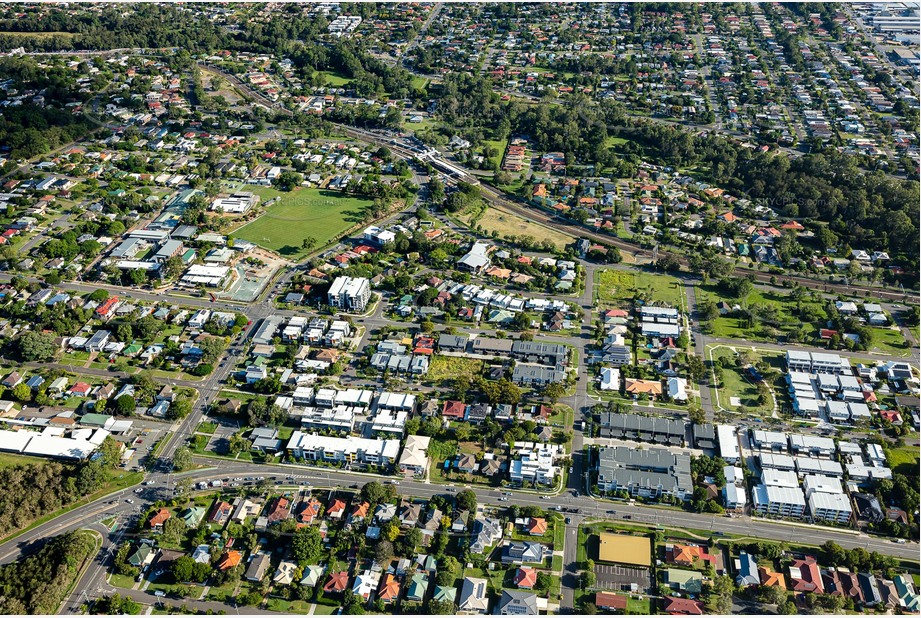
37 584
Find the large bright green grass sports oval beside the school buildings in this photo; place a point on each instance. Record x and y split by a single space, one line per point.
318 213
